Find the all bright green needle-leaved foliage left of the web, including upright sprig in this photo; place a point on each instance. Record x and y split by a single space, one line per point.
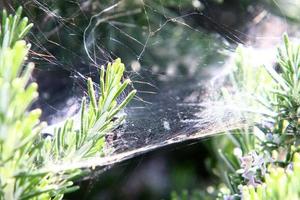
24 154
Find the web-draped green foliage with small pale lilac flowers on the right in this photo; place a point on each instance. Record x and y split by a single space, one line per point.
264 169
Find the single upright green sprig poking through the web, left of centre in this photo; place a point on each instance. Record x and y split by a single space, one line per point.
96 119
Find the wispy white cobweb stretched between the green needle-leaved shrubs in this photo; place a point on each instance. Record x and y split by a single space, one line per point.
172 56
